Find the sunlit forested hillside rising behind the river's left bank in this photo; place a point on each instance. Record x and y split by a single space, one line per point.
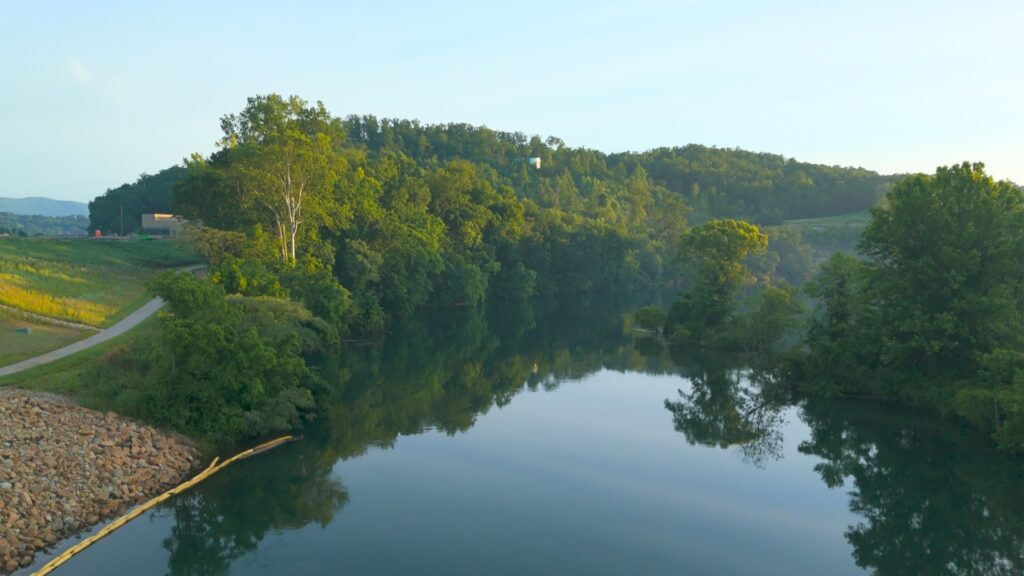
408 216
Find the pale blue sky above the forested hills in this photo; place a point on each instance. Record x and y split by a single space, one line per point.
94 95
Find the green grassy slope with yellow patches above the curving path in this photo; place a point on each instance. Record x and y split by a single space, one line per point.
89 281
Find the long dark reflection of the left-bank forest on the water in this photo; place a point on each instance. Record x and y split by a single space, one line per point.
435 373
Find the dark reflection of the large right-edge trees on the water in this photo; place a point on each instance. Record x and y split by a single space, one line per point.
933 499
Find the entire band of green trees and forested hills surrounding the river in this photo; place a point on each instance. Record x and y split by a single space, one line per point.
321 229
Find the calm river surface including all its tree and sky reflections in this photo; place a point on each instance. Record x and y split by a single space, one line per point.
550 442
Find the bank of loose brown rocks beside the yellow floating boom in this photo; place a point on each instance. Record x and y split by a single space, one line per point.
64 469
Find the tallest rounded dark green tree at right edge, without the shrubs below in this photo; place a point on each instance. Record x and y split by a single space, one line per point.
947 271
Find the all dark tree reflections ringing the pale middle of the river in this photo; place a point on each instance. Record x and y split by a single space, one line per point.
931 498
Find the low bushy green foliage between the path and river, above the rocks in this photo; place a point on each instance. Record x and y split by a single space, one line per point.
223 368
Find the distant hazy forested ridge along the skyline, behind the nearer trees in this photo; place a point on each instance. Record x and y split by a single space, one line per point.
715 183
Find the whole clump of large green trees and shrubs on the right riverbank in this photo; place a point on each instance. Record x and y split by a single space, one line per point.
936 316
